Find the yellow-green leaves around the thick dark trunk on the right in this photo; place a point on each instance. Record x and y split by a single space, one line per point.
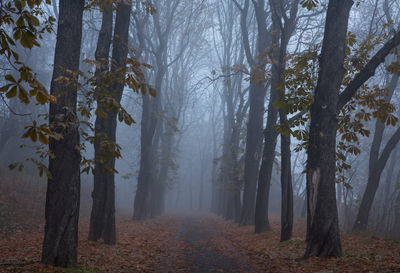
370 101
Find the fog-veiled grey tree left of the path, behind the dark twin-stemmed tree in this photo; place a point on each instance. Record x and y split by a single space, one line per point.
152 107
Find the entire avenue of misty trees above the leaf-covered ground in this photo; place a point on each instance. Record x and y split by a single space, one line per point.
241 107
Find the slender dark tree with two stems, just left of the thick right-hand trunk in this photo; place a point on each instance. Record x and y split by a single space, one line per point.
280 39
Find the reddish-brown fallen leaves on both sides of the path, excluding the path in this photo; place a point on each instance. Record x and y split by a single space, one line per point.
157 246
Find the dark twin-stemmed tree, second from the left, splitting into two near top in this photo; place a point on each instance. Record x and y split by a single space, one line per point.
108 100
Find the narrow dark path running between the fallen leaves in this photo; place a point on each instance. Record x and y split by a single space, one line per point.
201 250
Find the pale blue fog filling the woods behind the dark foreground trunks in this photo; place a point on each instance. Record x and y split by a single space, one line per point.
221 94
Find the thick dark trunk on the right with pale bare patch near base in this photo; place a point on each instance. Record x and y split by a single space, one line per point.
323 226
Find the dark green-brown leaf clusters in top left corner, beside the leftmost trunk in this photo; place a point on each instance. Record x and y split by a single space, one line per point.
25 22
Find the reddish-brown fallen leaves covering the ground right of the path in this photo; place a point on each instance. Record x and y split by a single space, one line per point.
265 253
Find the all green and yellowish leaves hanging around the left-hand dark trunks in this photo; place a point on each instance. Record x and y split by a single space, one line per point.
25 22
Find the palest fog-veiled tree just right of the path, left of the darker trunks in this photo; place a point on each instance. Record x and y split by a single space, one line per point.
230 54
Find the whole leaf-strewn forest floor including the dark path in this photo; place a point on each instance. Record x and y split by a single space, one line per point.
195 242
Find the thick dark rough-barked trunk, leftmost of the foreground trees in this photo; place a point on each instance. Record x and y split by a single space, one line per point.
63 189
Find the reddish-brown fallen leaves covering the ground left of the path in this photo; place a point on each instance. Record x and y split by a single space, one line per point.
146 246
